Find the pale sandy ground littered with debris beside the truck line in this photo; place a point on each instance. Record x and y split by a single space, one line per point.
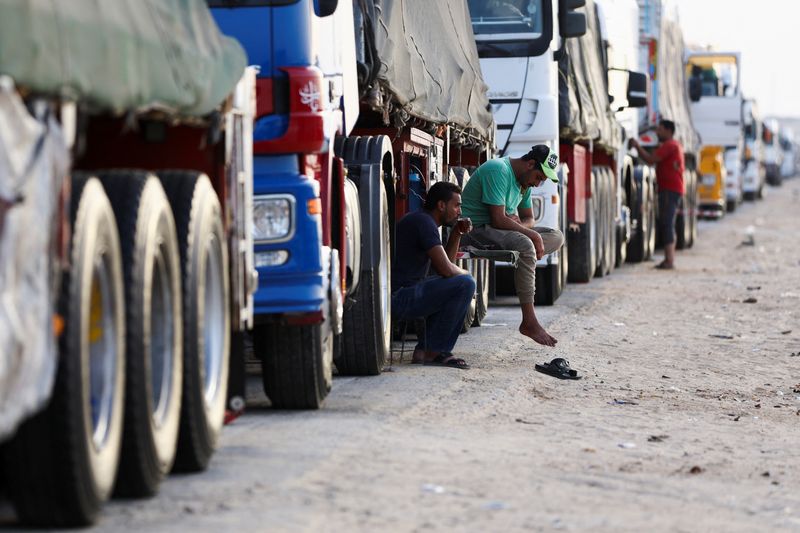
687 419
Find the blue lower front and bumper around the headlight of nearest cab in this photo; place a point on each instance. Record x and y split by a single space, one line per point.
297 284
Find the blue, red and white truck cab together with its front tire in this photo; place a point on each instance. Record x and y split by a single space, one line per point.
306 97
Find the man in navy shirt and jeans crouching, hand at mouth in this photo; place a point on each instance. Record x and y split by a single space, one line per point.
443 298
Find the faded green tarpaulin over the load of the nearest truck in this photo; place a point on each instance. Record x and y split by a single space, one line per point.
120 55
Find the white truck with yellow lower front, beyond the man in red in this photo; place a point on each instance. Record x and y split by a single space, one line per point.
714 82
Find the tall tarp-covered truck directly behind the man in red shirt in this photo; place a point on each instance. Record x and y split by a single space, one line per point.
661 55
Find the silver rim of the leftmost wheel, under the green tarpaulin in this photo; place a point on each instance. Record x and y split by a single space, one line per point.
103 354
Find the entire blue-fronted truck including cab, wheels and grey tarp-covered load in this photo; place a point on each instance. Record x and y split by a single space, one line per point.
362 105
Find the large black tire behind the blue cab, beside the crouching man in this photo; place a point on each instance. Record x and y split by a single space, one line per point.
367 320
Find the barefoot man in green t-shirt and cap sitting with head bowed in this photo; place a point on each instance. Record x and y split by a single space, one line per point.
497 199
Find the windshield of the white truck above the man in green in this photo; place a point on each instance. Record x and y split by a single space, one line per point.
513 28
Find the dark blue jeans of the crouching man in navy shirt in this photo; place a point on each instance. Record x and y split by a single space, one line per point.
443 302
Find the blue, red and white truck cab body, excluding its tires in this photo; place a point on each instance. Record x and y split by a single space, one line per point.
299 111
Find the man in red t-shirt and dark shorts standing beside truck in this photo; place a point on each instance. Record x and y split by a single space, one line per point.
668 158
